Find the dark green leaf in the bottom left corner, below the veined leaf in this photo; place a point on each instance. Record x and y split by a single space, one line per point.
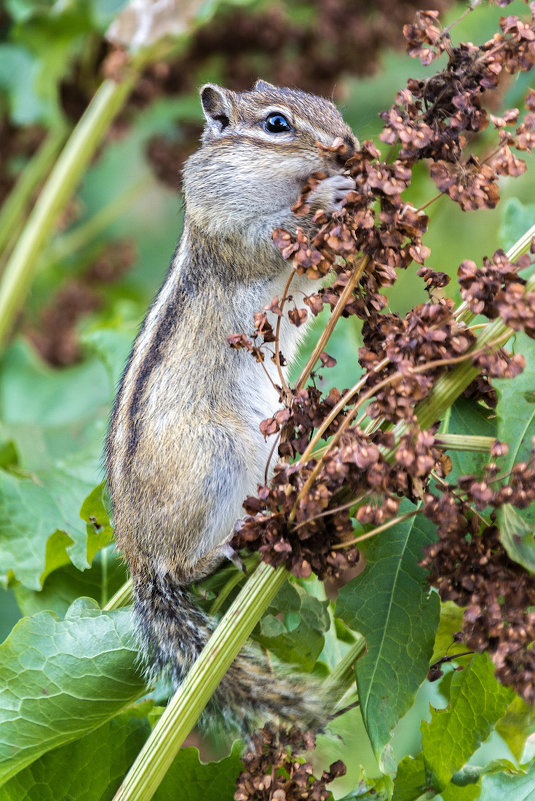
88 769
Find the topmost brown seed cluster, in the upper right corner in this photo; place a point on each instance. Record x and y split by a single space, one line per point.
432 118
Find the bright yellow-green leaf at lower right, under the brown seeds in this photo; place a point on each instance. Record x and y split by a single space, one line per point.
477 702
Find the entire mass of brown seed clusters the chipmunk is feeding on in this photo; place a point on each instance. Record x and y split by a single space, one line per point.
342 474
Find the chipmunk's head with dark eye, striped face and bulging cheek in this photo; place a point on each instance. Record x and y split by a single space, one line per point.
258 149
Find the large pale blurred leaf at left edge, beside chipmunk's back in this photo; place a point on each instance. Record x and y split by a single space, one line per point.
56 420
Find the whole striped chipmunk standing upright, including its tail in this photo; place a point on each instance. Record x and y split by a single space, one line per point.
184 447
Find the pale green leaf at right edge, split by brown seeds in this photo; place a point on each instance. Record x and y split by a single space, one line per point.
516 426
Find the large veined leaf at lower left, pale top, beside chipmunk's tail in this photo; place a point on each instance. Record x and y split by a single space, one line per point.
59 679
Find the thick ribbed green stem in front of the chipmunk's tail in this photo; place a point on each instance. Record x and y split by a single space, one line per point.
188 702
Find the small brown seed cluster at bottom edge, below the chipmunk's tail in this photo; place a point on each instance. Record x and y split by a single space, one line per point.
274 770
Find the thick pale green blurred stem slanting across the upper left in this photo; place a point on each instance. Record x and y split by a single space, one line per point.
60 185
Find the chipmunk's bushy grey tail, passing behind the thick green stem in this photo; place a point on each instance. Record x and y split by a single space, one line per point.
173 631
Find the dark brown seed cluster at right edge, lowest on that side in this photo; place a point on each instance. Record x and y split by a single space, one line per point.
470 566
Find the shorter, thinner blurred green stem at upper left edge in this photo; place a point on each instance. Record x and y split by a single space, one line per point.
17 202
